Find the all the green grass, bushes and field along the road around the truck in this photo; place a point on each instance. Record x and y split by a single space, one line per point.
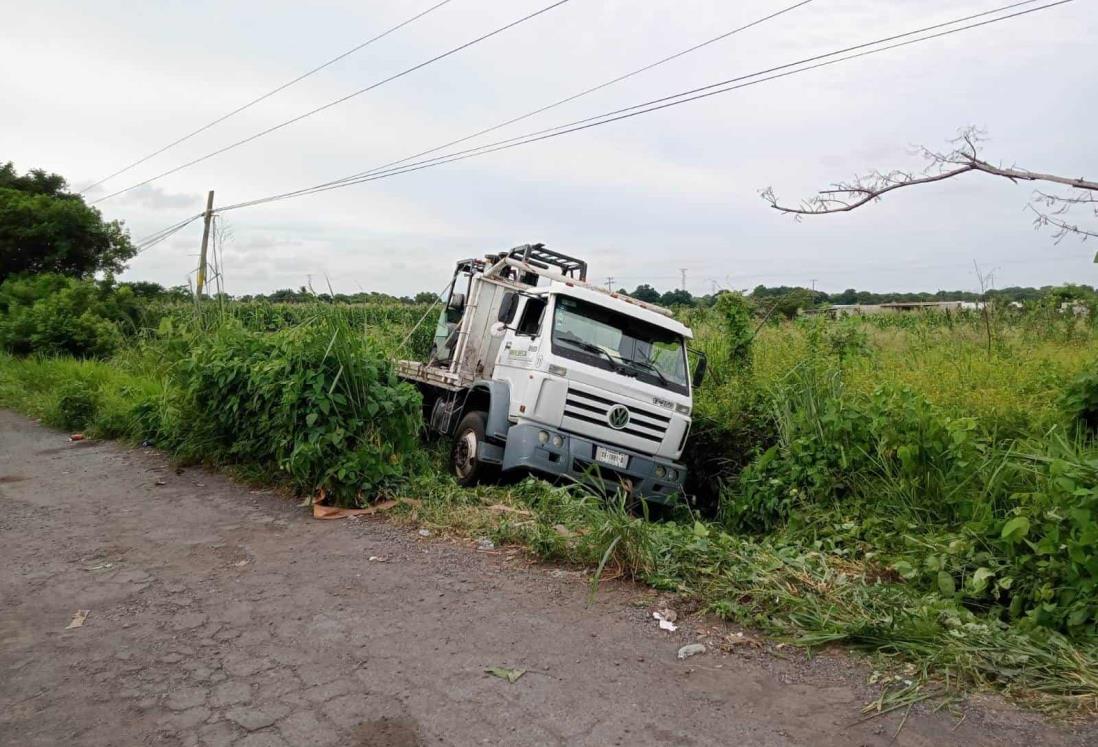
922 487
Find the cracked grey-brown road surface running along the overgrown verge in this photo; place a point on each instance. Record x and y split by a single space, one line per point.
223 617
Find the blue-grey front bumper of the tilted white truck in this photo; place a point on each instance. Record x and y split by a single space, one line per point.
576 459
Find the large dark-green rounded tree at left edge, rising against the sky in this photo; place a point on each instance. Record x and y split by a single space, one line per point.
43 229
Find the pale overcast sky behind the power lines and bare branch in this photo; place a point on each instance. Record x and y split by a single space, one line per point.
92 87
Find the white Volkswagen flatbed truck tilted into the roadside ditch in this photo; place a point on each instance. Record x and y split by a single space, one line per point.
533 369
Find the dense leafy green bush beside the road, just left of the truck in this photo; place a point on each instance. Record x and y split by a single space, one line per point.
316 402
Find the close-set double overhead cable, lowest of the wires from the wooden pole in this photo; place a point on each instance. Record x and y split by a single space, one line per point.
665 103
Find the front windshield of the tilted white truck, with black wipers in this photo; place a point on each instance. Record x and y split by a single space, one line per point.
619 343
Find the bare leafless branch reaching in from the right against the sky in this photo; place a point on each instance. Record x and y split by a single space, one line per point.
1050 209
